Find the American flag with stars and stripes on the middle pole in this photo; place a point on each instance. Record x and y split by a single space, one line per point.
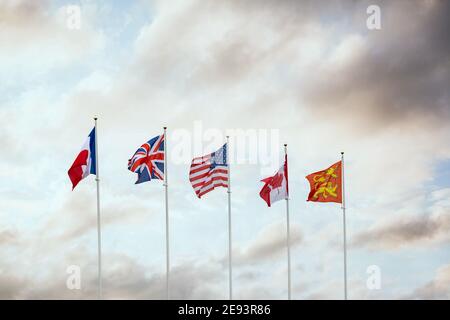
209 172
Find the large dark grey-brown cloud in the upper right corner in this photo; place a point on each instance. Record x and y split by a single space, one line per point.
399 74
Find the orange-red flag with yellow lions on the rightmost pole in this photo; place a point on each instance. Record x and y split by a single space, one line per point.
326 185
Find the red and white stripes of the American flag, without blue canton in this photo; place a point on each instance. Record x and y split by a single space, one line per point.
204 179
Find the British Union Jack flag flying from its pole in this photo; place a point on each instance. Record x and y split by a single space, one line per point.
148 160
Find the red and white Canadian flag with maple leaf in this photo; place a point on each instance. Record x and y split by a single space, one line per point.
276 187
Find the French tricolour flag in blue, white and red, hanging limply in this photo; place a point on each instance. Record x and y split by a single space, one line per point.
84 163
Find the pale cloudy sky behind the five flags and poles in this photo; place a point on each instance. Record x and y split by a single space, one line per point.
310 74
